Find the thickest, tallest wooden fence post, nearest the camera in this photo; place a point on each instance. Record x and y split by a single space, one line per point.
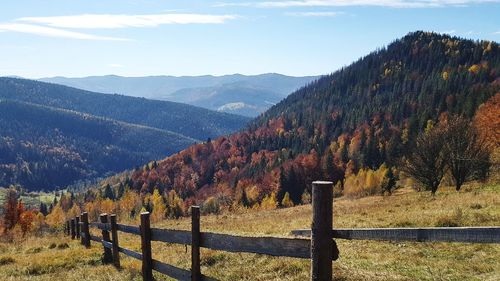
321 231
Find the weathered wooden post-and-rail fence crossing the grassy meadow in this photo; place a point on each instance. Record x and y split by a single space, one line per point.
320 247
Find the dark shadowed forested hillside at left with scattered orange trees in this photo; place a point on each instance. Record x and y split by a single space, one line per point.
44 148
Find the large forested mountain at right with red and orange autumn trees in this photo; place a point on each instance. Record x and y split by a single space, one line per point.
339 127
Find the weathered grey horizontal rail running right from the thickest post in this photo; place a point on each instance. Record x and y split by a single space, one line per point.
424 234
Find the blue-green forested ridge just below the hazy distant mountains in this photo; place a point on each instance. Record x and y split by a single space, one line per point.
190 121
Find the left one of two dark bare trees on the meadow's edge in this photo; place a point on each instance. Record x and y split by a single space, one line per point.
427 162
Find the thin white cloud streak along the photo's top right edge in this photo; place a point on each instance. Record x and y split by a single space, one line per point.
345 3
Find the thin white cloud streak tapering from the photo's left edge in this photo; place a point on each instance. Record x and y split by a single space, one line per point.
52 32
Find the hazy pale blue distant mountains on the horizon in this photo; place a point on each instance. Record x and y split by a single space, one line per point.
238 94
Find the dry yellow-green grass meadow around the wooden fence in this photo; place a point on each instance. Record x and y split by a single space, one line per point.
36 259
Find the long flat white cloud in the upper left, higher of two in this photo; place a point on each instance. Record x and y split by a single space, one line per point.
123 21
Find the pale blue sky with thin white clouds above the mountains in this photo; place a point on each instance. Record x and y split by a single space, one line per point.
80 38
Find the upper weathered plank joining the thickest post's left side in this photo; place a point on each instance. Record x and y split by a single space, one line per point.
287 247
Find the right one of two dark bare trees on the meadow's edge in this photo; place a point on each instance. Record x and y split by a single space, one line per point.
467 155
